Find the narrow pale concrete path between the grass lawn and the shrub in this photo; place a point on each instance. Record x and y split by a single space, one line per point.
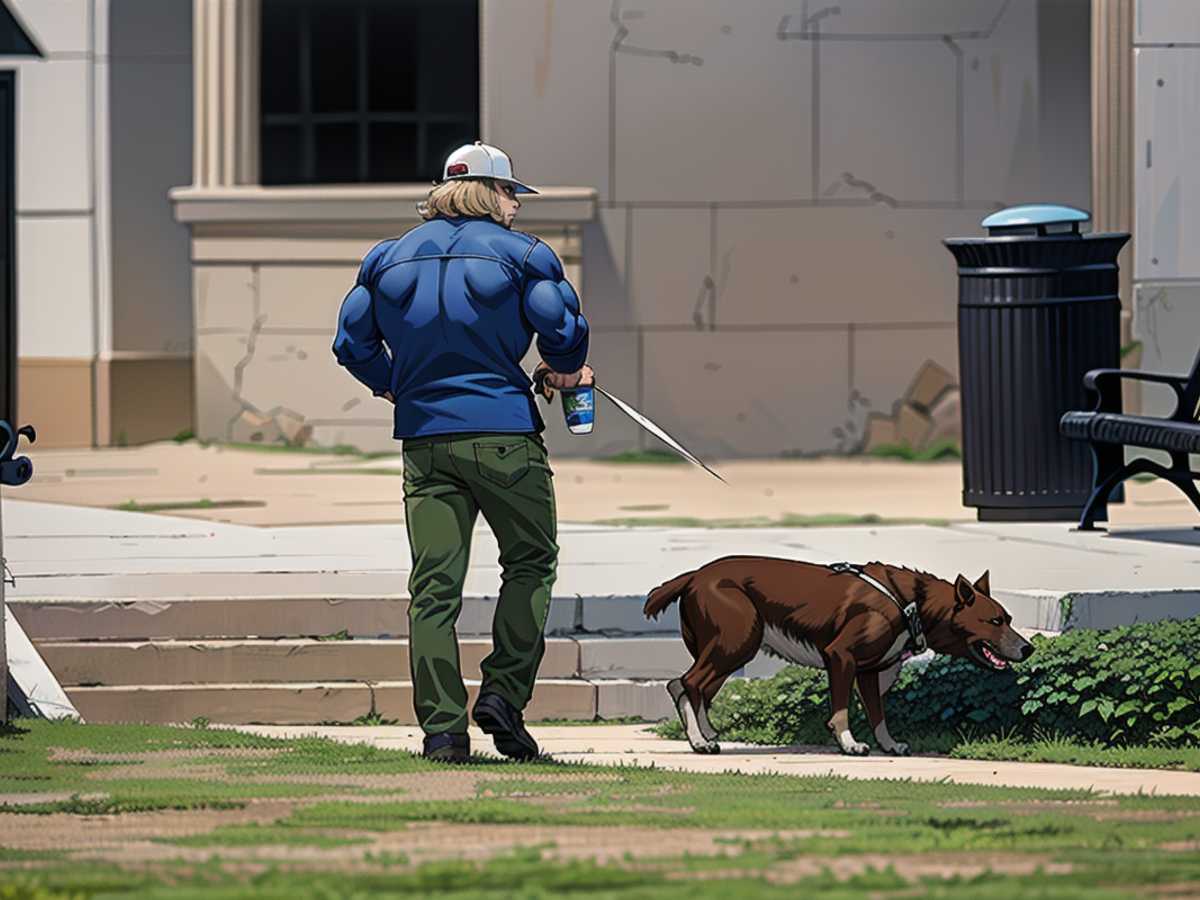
638 746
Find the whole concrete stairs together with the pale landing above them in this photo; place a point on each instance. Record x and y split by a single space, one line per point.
161 619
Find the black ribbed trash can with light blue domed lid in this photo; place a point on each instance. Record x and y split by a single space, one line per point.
1039 308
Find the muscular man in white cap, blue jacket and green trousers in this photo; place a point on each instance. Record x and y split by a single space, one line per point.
439 323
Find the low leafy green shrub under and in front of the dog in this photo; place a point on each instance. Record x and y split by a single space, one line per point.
1138 685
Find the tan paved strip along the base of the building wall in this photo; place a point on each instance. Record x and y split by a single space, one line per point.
287 488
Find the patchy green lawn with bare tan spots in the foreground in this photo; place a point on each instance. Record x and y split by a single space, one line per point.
98 811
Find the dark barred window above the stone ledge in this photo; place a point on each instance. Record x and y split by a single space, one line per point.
367 91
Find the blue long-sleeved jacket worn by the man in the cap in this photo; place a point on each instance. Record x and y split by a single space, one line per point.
443 316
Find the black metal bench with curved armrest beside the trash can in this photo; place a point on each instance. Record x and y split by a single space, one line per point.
1109 431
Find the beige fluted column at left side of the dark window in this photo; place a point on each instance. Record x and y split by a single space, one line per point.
226 64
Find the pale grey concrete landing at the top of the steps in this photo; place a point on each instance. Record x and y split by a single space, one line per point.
92 555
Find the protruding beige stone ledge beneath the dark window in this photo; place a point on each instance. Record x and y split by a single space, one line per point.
356 203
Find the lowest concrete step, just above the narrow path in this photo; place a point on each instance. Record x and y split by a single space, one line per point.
313 704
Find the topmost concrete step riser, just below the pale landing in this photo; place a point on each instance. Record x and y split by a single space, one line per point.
273 617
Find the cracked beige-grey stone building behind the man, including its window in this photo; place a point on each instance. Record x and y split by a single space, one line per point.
751 197
